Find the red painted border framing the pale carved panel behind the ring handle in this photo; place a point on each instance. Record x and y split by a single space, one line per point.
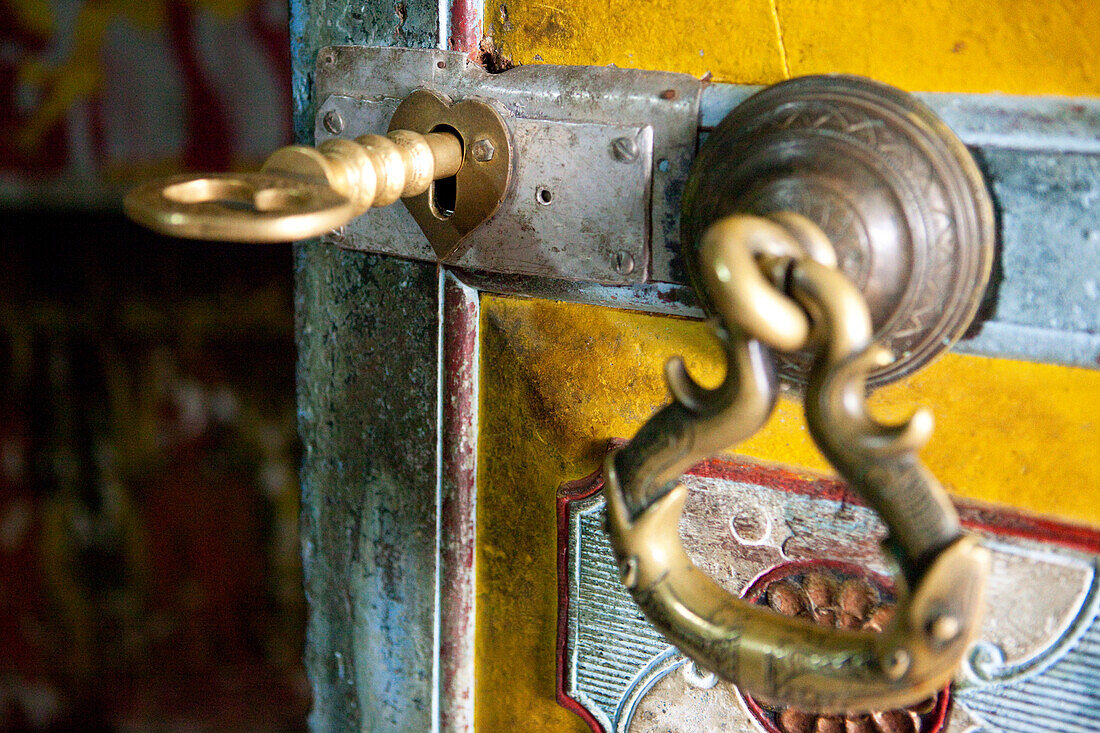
974 516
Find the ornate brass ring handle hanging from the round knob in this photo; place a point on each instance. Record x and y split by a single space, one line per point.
776 659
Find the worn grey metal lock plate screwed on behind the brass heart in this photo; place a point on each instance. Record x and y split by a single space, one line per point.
600 157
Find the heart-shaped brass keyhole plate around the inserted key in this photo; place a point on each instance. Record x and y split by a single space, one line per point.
452 209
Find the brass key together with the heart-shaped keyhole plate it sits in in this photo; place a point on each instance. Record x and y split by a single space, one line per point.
450 163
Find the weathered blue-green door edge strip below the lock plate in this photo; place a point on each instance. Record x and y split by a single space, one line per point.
368 390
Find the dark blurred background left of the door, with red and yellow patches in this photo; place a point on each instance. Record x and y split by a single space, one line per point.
150 575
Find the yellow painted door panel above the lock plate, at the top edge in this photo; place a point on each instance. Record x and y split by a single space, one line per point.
1015 47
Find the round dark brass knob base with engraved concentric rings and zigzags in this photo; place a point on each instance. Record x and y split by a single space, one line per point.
898 195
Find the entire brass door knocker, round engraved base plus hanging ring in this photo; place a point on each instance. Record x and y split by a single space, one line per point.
818 221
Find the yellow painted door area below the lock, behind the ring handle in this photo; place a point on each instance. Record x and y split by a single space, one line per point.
559 380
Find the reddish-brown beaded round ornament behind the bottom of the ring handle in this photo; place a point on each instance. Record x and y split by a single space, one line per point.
843 598
